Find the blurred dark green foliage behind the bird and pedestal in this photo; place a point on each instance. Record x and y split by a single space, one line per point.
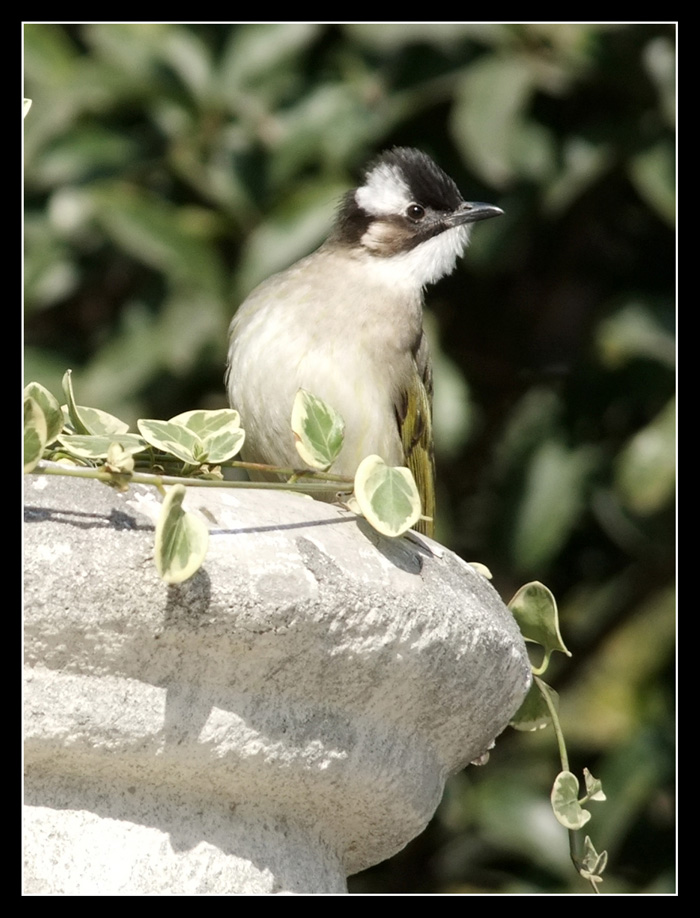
169 168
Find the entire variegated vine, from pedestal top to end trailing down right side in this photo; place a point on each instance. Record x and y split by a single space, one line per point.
191 449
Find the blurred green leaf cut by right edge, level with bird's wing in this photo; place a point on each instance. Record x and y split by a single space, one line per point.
645 470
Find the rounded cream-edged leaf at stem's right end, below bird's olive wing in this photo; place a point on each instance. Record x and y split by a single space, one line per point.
387 496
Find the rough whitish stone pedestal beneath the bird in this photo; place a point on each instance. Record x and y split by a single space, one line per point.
285 718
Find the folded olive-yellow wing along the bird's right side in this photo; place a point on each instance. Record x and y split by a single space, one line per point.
414 414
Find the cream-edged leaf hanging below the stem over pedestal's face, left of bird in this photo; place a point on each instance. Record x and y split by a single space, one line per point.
181 539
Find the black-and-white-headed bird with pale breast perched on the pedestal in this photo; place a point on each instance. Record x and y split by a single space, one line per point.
346 324
